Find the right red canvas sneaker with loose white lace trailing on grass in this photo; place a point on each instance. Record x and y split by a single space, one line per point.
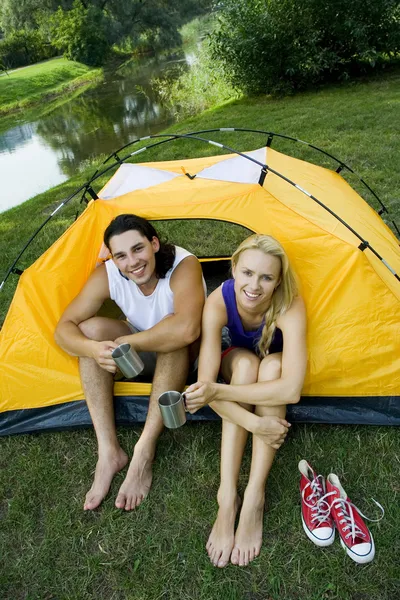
355 536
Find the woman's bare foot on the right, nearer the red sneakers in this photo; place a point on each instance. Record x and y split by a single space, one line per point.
248 536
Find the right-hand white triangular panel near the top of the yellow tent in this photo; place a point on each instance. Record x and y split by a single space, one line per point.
237 169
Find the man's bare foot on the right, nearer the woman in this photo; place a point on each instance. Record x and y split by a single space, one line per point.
138 480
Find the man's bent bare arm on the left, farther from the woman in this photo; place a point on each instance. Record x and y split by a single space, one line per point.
86 304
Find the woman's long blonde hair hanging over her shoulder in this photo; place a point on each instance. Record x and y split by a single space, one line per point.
284 293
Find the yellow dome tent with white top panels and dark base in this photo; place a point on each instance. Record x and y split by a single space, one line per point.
347 260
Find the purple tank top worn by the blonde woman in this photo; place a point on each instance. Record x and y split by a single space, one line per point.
240 337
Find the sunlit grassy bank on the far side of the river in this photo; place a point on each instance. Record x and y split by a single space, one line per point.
35 84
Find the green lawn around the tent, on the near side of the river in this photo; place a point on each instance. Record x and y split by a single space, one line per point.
51 550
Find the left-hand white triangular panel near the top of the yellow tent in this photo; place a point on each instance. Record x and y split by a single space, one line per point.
130 177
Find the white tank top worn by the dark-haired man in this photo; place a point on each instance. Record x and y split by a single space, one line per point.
144 311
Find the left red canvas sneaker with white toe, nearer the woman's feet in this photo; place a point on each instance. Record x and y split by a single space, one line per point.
315 510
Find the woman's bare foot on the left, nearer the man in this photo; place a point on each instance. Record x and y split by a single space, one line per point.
220 543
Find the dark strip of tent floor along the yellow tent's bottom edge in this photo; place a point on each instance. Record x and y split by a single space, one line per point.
131 410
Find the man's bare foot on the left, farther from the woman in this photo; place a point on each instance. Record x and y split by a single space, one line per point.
107 466
